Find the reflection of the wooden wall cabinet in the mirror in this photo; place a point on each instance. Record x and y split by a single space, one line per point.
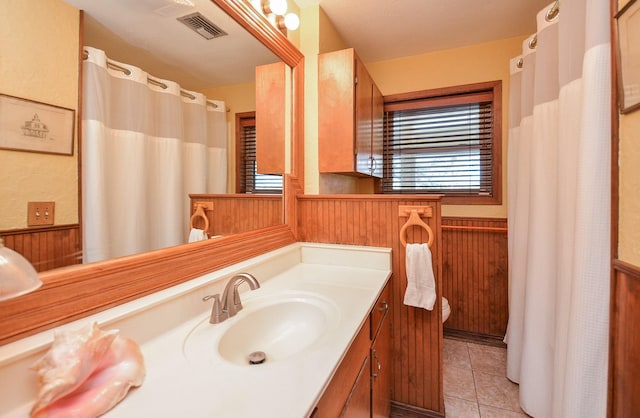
273 117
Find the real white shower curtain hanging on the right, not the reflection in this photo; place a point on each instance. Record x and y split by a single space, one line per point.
559 214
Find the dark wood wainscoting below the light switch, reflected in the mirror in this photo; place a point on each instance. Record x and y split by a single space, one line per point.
48 247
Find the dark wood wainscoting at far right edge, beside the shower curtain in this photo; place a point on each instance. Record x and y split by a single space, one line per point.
624 342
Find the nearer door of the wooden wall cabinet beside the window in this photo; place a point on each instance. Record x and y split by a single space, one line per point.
364 95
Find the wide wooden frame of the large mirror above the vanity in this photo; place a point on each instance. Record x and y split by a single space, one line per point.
75 292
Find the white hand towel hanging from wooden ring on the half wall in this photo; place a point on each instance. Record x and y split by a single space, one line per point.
421 284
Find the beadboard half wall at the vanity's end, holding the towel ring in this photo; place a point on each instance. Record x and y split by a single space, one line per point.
417 334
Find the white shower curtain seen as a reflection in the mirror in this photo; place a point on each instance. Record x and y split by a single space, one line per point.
145 149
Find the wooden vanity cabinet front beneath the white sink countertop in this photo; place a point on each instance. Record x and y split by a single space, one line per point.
361 387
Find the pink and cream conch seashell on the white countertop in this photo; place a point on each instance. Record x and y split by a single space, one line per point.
86 372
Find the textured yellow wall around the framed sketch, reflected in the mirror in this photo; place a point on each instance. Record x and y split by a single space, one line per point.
39 61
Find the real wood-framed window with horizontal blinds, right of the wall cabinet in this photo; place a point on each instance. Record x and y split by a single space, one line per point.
445 141
